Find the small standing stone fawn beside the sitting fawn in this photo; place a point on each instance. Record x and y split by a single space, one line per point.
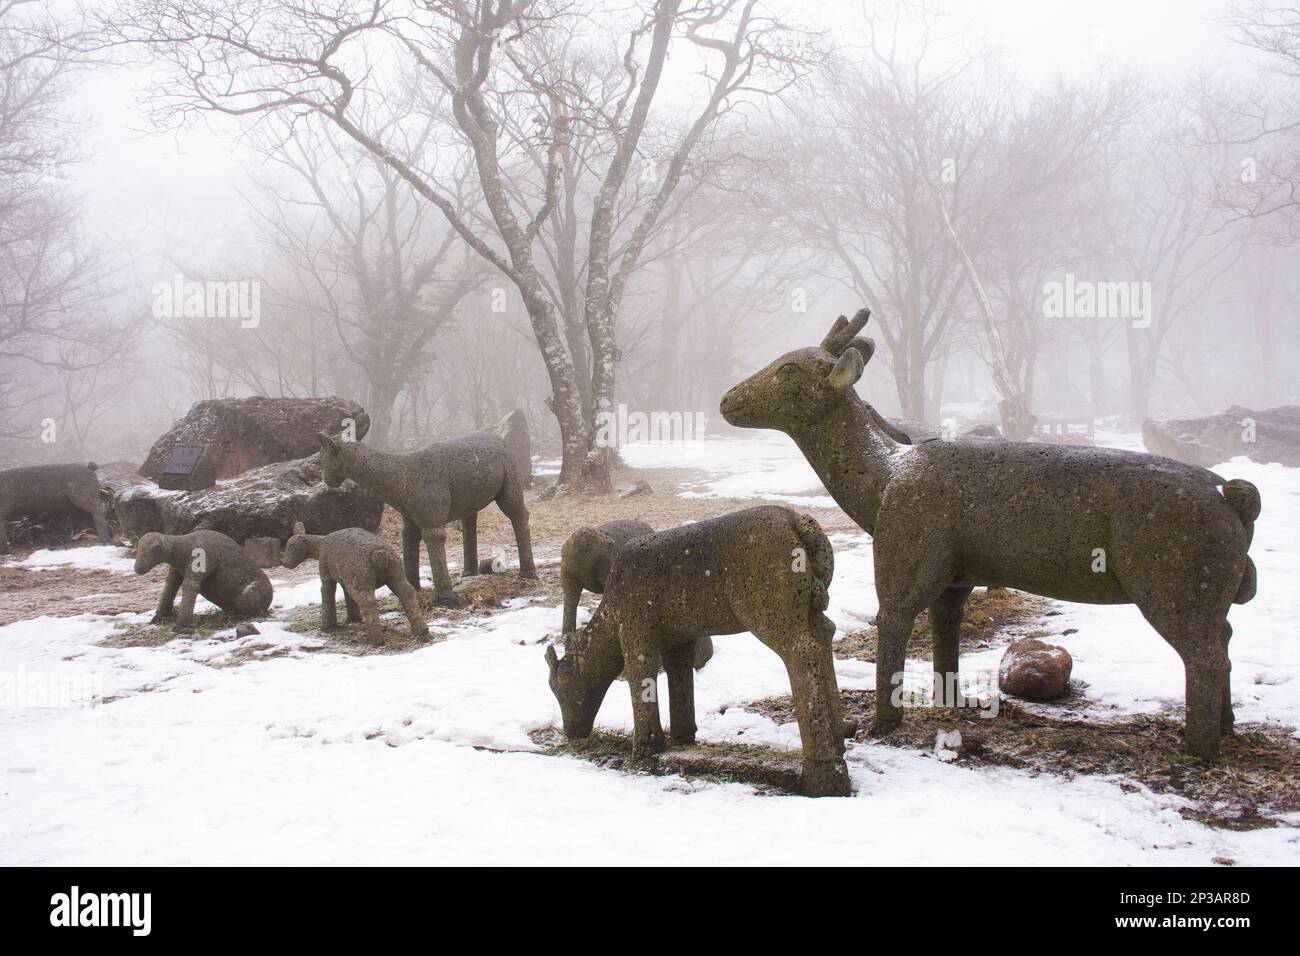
363 564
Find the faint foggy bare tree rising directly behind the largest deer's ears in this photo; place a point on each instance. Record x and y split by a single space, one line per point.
856 187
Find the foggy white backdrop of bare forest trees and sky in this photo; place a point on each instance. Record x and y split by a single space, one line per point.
445 211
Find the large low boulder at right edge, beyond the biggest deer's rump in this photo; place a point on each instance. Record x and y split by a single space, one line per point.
1267 436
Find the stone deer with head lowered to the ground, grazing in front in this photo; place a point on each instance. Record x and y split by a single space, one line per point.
764 570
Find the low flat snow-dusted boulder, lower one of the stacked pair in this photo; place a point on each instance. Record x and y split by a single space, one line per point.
263 503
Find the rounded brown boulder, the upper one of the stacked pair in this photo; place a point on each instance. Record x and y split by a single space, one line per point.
231 436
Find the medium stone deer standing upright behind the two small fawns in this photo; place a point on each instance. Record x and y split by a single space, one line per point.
447 482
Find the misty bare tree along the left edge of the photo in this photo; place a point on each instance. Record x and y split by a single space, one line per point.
57 330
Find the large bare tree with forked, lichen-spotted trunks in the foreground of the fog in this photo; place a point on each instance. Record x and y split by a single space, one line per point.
315 63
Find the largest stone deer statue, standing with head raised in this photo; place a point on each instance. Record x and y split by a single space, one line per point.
1073 524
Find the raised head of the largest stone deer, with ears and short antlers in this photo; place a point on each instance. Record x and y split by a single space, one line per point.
803 386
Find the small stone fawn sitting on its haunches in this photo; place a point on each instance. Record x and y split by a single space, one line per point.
209 564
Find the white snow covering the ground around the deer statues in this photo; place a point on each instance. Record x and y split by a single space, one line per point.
426 758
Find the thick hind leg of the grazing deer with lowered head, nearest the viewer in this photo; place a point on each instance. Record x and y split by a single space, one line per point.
811 667
